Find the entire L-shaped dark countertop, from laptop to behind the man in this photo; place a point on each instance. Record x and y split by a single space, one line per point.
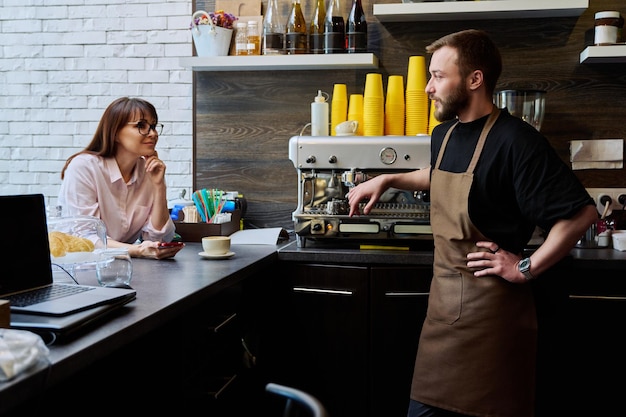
167 289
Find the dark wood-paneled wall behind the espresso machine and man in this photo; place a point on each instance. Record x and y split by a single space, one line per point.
243 120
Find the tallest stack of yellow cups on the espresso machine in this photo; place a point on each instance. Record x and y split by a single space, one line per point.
416 97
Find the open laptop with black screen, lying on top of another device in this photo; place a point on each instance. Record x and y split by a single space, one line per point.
27 266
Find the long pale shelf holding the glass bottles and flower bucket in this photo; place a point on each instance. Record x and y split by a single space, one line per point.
280 62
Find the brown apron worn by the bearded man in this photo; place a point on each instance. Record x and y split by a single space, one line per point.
477 348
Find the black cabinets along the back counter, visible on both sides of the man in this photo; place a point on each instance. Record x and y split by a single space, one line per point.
361 321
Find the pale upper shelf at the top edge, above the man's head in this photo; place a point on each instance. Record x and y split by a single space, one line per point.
485 9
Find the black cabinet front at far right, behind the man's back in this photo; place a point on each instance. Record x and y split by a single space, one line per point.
595 352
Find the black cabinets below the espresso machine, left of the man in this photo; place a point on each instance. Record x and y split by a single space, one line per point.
348 333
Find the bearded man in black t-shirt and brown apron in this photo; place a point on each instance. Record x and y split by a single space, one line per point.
493 178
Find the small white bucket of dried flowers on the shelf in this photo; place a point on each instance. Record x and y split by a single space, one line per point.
212 32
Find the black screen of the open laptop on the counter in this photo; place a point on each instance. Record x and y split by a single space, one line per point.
25 245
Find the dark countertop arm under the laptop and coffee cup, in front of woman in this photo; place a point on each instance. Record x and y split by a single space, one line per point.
165 289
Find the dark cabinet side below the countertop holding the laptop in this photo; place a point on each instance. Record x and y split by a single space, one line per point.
197 362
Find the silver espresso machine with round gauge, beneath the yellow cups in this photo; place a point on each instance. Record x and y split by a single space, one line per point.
328 166
